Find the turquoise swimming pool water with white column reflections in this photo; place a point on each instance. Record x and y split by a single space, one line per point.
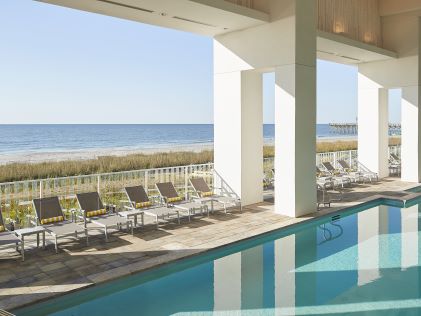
364 263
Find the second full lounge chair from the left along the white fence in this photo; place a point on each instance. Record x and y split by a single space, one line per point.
95 212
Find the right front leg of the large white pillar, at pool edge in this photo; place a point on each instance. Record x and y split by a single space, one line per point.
295 120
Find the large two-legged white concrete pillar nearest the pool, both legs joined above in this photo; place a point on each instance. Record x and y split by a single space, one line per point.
287 46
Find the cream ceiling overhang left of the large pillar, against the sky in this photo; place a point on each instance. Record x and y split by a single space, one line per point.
205 17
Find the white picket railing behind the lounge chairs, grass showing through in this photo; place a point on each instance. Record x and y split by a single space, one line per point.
16 197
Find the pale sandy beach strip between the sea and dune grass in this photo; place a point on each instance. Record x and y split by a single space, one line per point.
36 157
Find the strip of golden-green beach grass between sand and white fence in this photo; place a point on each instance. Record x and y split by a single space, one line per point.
24 171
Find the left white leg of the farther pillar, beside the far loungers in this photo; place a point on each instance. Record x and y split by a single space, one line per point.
373 126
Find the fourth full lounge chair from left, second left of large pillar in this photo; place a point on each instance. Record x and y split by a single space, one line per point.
171 198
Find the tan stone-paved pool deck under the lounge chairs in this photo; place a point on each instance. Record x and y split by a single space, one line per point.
45 274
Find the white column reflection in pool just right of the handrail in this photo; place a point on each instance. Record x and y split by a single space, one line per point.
368 246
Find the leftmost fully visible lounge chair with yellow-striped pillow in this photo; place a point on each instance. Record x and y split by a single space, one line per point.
50 215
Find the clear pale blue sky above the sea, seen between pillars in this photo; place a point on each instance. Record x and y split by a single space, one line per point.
59 65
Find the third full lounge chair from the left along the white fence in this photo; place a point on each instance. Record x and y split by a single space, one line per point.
141 204
